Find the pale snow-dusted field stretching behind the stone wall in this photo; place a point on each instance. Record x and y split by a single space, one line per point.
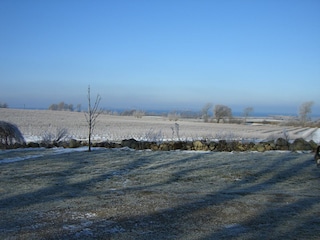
35 124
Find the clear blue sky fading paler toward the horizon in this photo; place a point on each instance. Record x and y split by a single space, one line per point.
161 54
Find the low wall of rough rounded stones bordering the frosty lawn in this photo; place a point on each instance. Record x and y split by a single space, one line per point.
228 146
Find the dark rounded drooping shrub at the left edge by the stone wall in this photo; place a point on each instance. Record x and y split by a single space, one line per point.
10 134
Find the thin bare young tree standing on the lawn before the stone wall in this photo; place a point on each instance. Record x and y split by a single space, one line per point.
92 115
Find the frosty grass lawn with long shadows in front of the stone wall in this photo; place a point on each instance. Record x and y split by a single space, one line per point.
123 194
